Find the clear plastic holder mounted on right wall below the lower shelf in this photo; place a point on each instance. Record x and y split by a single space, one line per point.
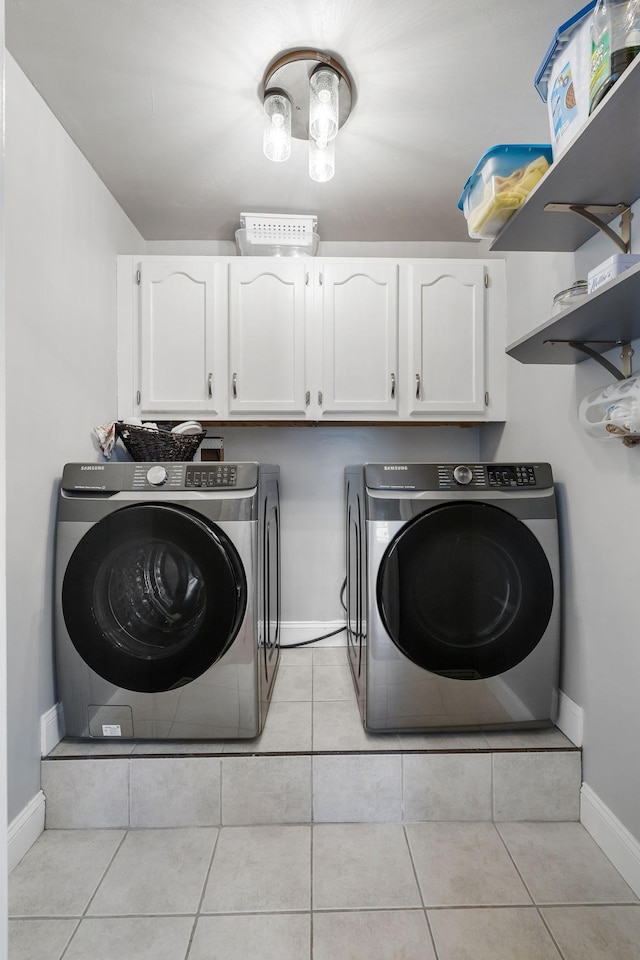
613 411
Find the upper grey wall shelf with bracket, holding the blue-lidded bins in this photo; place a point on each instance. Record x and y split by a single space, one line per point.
601 166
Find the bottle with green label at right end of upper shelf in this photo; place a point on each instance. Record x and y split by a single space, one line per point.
615 41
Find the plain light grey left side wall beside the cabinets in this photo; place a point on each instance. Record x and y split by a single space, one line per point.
63 230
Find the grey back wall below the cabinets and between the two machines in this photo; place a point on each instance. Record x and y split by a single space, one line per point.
312 462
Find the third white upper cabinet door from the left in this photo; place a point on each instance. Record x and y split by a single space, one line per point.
359 328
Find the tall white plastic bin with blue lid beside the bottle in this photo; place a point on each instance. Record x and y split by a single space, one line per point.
563 78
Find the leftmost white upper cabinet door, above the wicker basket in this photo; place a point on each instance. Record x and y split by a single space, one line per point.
180 367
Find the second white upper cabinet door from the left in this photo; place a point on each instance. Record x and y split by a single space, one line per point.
267 332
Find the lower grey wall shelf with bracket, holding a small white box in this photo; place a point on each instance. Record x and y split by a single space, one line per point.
610 315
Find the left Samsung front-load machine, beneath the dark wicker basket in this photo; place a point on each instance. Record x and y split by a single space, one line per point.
167 599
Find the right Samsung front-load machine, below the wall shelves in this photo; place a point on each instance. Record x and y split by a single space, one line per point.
453 595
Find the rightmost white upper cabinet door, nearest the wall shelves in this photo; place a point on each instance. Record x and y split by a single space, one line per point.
446 337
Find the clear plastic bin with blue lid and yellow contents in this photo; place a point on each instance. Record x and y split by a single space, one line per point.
499 185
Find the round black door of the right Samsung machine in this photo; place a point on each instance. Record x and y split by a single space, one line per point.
465 590
